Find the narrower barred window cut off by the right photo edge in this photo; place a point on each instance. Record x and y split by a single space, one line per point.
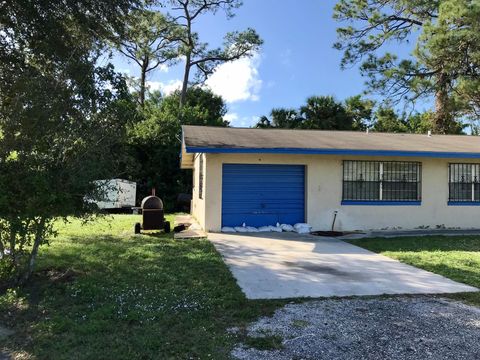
464 182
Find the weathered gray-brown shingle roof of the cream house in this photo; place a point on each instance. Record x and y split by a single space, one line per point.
217 139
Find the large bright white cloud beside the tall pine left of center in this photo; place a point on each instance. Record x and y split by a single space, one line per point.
237 80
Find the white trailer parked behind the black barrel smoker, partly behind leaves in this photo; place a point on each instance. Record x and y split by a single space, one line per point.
118 194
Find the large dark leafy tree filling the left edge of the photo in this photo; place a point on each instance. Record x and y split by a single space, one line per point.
62 112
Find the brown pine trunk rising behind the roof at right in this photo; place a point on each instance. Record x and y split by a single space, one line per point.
442 121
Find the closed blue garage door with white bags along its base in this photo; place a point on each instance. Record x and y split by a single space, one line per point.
263 194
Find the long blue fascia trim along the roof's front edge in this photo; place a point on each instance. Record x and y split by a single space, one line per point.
300 151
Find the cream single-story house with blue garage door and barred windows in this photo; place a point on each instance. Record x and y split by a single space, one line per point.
372 180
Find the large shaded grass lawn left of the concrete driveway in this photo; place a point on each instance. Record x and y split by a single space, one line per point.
101 292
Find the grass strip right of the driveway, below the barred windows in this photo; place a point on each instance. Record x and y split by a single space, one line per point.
455 257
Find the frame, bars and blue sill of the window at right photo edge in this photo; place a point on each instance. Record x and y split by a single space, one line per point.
474 171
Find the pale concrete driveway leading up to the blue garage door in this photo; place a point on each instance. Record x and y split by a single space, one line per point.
288 265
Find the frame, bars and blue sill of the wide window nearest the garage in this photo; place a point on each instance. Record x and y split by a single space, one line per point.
382 199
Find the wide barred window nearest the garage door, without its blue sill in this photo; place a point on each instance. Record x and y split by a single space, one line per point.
381 181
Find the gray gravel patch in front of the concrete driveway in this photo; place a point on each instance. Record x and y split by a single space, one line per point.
388 328
